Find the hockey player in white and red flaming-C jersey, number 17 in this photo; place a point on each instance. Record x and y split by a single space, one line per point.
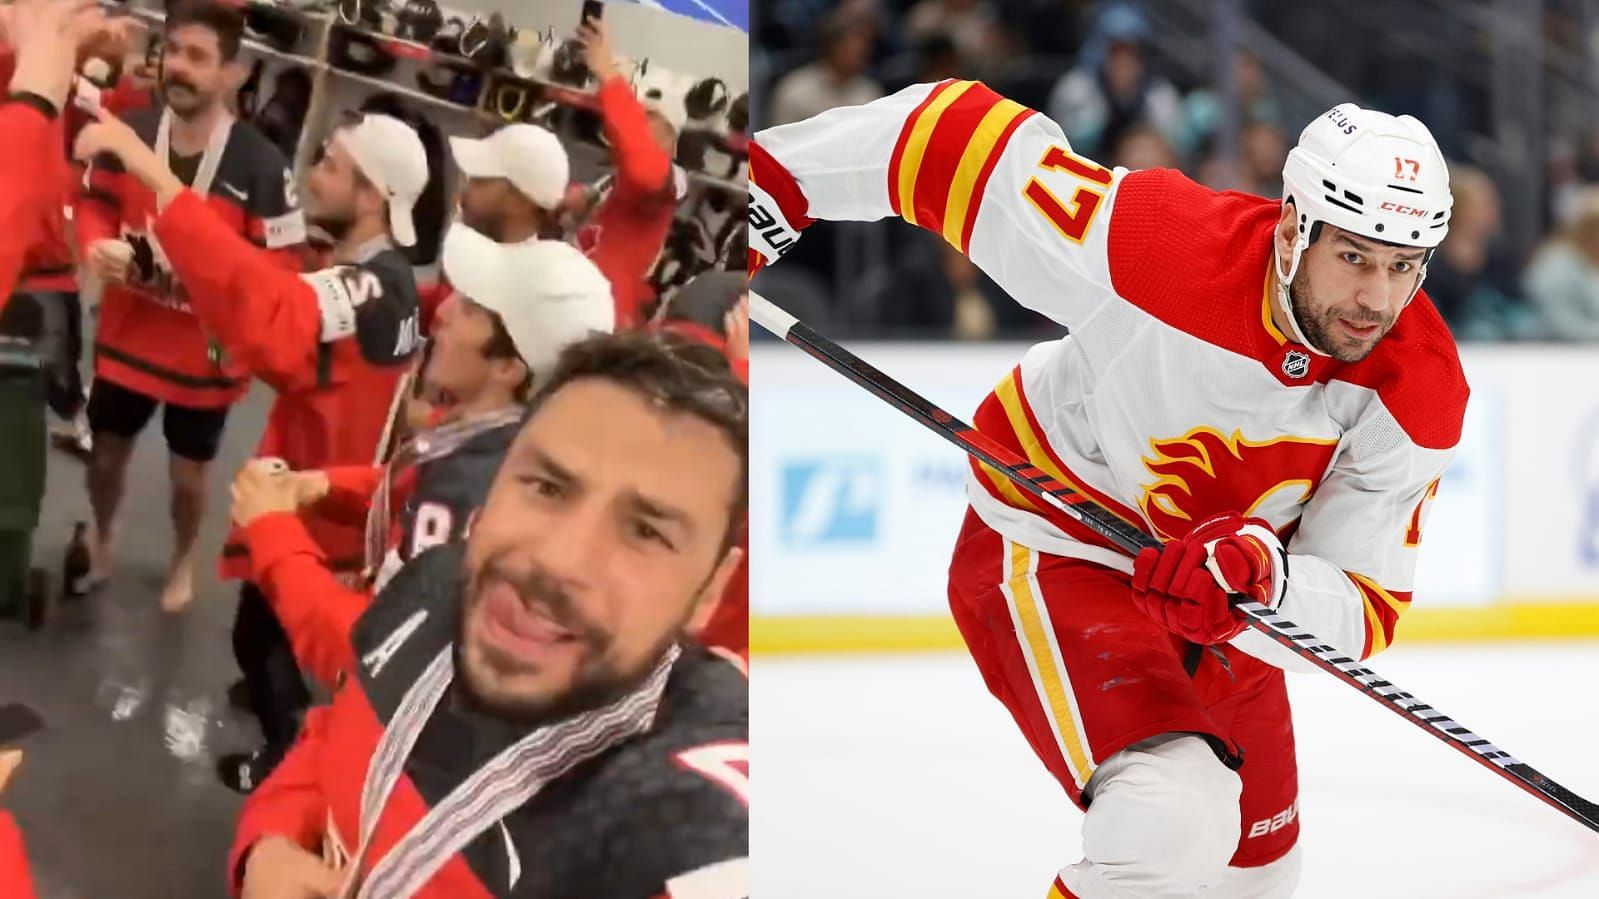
1261 385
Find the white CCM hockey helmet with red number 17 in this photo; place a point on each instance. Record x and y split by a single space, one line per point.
1370 174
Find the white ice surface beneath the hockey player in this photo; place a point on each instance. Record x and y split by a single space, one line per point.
901 777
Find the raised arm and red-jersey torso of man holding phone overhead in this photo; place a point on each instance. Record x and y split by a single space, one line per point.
631 225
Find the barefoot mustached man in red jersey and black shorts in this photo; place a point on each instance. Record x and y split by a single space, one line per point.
151 351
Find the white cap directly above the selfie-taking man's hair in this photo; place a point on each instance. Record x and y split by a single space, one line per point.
546 292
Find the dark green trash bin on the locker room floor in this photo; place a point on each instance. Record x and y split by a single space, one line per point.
23 589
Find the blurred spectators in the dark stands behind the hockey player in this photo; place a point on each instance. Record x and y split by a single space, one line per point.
1096 70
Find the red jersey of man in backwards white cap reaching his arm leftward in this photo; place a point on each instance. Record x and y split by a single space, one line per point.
333 345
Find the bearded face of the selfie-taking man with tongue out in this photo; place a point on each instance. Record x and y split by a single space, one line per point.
596 548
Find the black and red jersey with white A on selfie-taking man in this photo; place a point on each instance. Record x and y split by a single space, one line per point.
664 815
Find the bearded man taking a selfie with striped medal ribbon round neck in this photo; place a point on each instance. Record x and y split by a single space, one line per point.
528 717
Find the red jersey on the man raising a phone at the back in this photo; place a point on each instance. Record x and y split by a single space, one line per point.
628 231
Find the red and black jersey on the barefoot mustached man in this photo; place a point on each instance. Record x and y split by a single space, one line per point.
150 335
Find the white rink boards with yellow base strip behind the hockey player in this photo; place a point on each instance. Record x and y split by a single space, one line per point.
859 506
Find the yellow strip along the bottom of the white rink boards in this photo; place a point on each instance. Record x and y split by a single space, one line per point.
780 636
